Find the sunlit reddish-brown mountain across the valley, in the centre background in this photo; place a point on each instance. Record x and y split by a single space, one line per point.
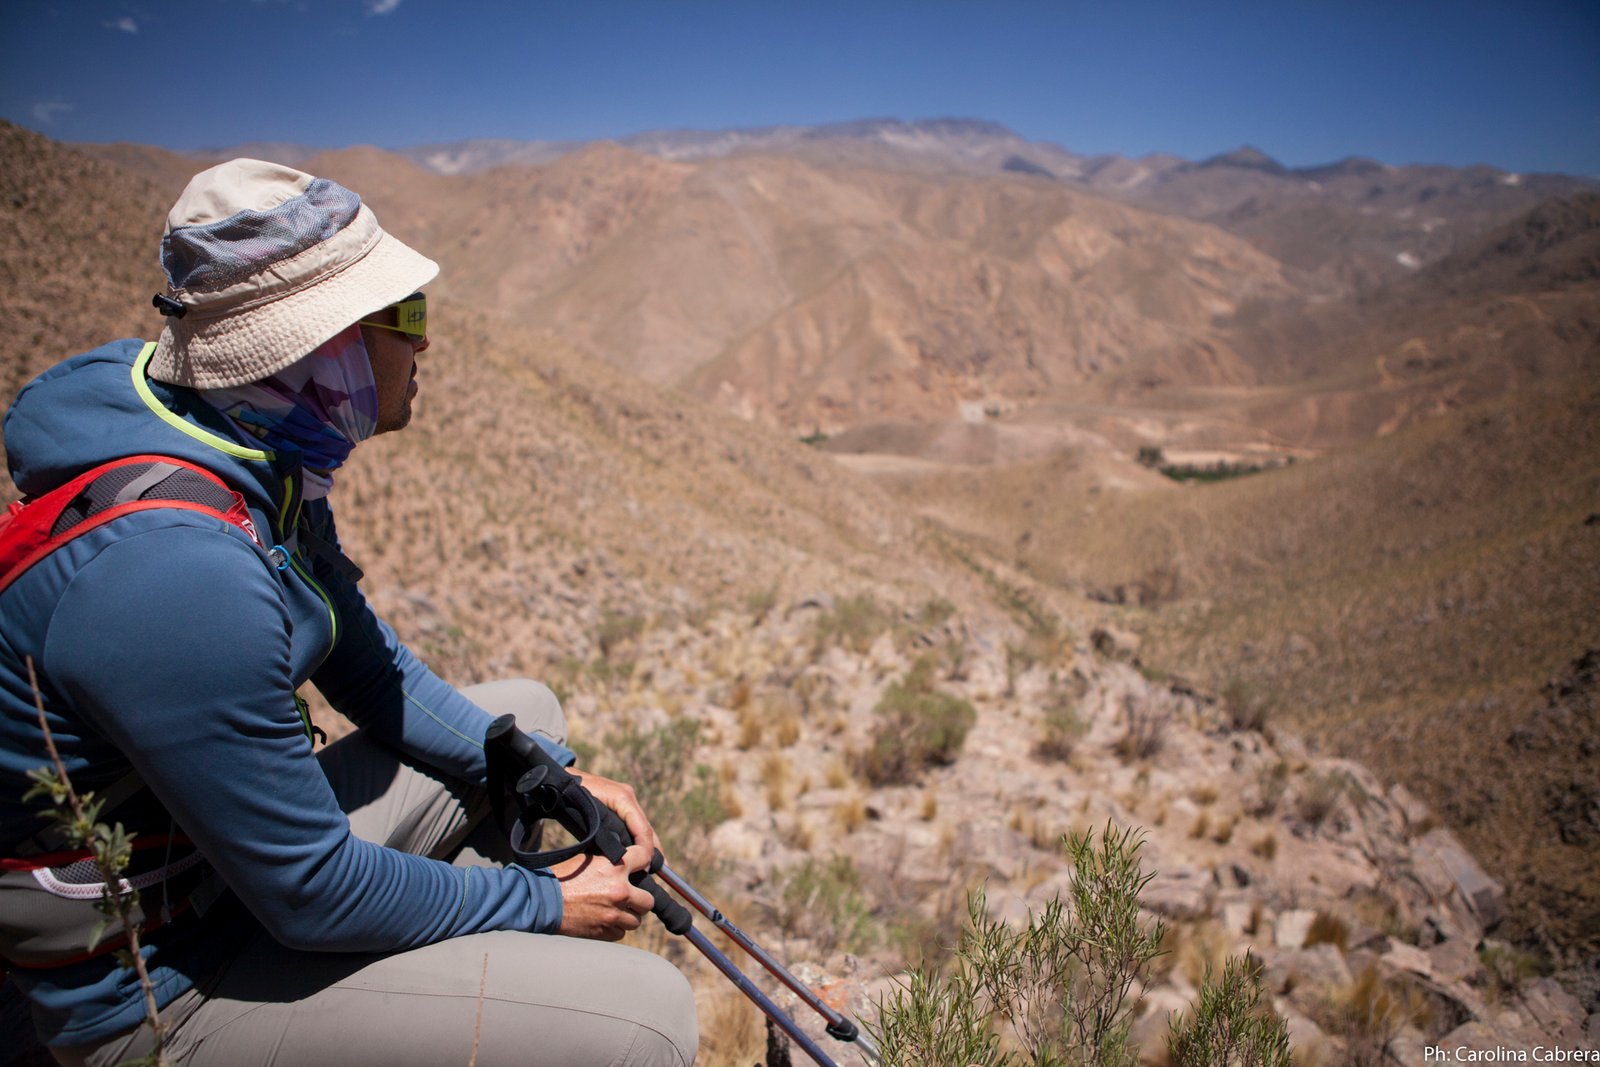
794 286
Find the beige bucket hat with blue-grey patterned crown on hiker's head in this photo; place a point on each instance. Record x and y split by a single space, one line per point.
263 265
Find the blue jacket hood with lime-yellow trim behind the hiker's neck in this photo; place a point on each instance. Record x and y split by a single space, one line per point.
102 406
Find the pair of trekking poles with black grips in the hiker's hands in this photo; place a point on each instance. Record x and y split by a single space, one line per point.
545 789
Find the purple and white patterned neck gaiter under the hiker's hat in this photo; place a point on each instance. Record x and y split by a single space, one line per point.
322 406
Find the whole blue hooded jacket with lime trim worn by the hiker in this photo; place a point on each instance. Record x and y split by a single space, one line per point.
166 644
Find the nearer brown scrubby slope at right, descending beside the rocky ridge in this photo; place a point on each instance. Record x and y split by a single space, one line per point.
1407 602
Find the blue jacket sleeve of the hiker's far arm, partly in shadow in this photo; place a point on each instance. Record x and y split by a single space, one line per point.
378 684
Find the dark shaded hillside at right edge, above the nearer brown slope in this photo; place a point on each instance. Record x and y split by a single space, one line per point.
1518 308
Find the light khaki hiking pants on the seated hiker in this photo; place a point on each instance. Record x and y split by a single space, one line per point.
546 1001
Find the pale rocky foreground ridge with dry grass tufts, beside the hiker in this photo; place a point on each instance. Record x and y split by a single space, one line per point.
1372 922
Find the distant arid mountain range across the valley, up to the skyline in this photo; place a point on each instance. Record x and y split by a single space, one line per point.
830 279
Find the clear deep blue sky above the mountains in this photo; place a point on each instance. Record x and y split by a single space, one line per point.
1516 86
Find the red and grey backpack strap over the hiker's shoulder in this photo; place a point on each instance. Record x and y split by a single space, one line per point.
31 530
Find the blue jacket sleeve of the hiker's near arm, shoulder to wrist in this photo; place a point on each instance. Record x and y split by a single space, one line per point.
174 644
